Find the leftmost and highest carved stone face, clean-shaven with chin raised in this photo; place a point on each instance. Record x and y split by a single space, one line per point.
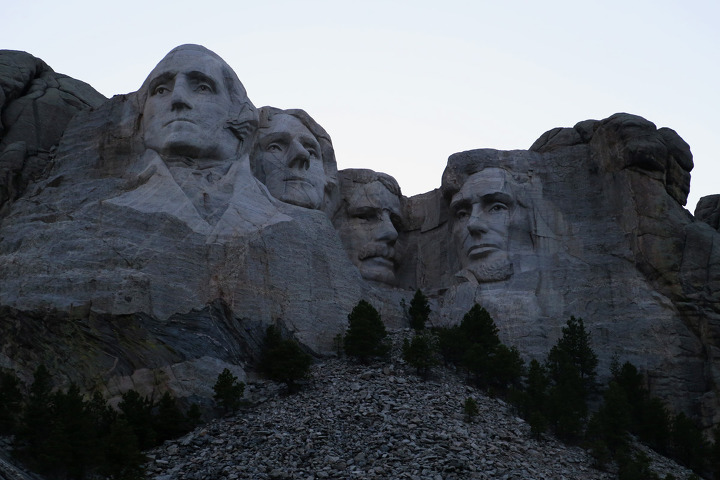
187 108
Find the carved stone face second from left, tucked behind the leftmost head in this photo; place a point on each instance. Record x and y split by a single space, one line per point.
290 159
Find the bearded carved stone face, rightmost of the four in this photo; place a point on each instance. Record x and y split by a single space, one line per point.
481 213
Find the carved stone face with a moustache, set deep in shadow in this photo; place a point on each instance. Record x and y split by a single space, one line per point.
370 229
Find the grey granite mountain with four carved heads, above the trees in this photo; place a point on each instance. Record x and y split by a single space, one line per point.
148 240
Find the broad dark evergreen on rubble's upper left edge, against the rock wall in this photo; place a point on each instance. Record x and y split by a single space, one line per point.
283 360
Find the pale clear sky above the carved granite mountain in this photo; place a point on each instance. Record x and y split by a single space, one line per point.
401 85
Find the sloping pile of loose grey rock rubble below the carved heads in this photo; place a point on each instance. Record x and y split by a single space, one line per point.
375 422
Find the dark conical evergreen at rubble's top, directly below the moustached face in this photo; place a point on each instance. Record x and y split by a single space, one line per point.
366 334
